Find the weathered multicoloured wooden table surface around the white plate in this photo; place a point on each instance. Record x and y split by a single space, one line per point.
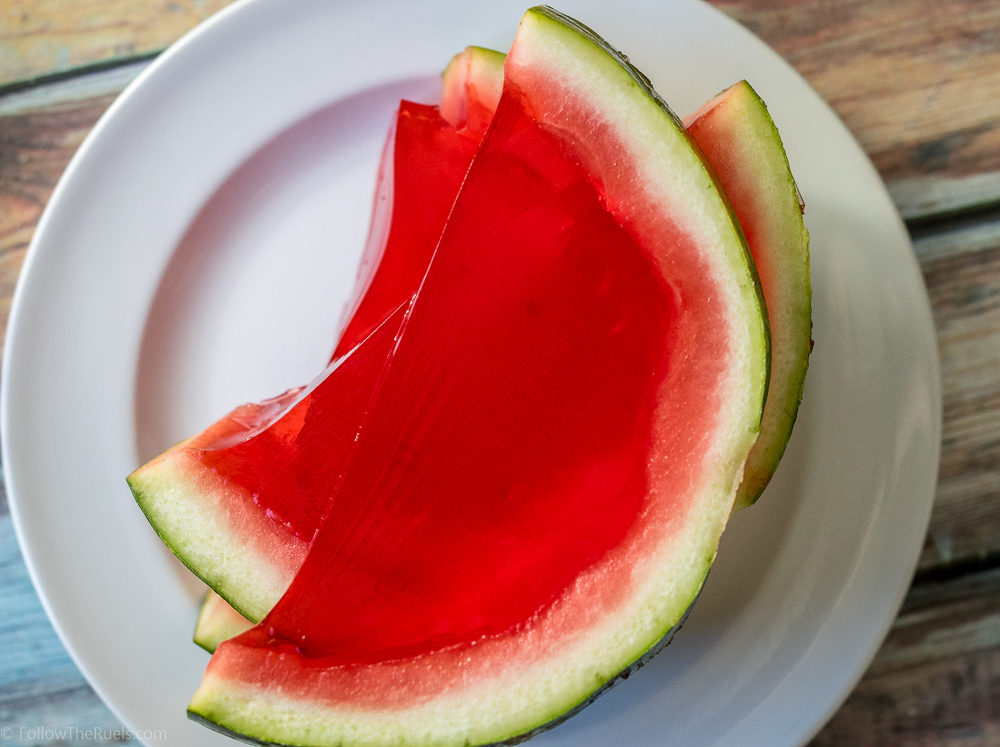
917 82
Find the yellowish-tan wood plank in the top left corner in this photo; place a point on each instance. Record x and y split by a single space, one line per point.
41 37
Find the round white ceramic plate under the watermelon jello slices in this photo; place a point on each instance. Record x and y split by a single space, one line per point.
198 251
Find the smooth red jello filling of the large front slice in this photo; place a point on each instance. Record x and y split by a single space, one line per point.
507 447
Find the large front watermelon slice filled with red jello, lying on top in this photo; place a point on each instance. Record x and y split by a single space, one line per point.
553 453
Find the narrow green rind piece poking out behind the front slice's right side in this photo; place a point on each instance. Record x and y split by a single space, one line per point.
742 142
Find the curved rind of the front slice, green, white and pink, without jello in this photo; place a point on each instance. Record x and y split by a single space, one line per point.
505 689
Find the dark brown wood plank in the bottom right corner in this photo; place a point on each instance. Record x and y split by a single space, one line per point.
936 679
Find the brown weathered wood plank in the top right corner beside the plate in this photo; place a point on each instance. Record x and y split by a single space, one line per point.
917 82
